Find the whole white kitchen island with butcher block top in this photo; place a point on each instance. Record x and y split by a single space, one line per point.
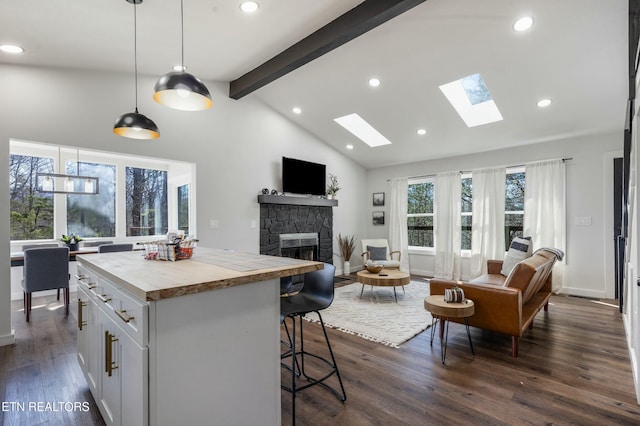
195 341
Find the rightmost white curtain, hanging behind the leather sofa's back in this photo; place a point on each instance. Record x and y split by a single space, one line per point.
545 210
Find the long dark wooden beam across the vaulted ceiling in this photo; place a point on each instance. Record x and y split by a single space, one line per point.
362 18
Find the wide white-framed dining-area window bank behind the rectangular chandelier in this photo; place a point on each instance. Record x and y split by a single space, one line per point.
137 196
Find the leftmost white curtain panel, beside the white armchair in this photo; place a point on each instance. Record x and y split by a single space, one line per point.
398 234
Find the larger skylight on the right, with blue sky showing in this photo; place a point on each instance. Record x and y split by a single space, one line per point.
472 100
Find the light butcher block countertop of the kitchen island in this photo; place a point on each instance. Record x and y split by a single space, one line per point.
208 269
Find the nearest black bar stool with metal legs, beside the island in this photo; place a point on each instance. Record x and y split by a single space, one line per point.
316 295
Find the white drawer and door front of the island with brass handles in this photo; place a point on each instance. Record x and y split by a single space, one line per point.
112 350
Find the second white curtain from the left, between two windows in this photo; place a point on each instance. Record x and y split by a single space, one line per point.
447 222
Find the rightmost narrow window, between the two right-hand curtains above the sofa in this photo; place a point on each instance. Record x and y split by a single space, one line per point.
514 205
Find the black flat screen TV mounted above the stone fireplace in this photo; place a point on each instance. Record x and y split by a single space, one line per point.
303 177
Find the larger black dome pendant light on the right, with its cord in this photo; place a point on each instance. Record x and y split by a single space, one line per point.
179 89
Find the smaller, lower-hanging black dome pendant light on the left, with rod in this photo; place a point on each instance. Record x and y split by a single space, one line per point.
133 124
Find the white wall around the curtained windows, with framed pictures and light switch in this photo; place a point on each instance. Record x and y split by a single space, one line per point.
589 193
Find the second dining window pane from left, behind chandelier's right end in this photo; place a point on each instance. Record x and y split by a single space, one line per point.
95 215
